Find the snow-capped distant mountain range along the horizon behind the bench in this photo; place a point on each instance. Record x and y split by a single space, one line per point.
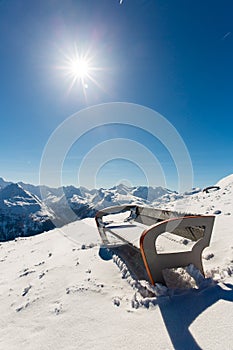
27 209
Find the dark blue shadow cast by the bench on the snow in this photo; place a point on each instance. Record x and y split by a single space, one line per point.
179 311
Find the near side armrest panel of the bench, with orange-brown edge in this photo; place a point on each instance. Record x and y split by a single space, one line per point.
155 262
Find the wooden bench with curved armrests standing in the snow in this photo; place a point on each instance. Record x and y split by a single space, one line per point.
156 235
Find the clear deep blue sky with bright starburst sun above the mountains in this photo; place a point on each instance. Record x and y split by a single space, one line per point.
174 57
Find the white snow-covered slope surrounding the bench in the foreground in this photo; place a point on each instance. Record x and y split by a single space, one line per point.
56 292
